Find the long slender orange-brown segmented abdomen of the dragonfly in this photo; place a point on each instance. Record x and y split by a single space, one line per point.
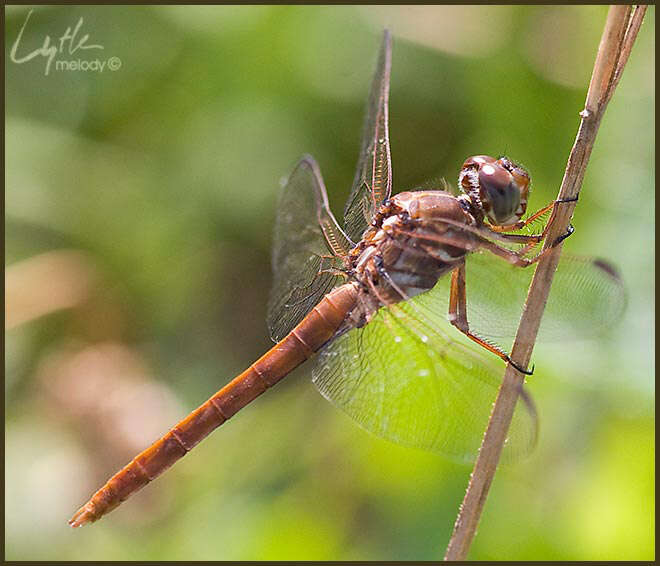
311 333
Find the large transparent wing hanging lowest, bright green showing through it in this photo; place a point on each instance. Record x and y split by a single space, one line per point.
403 379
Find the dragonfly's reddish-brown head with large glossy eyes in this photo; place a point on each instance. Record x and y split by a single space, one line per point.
497 187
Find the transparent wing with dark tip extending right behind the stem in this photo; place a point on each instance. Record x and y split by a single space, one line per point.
586 298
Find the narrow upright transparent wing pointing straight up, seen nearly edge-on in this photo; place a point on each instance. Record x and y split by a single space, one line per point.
373 178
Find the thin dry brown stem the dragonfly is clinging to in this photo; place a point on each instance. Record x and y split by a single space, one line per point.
621 27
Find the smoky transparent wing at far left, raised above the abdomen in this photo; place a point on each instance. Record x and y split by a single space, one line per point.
307 250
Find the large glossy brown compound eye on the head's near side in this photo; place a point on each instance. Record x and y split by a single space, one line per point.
500 194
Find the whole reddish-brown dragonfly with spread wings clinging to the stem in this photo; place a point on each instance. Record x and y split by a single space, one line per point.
380 303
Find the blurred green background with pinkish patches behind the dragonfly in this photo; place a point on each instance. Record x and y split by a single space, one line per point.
139 210
